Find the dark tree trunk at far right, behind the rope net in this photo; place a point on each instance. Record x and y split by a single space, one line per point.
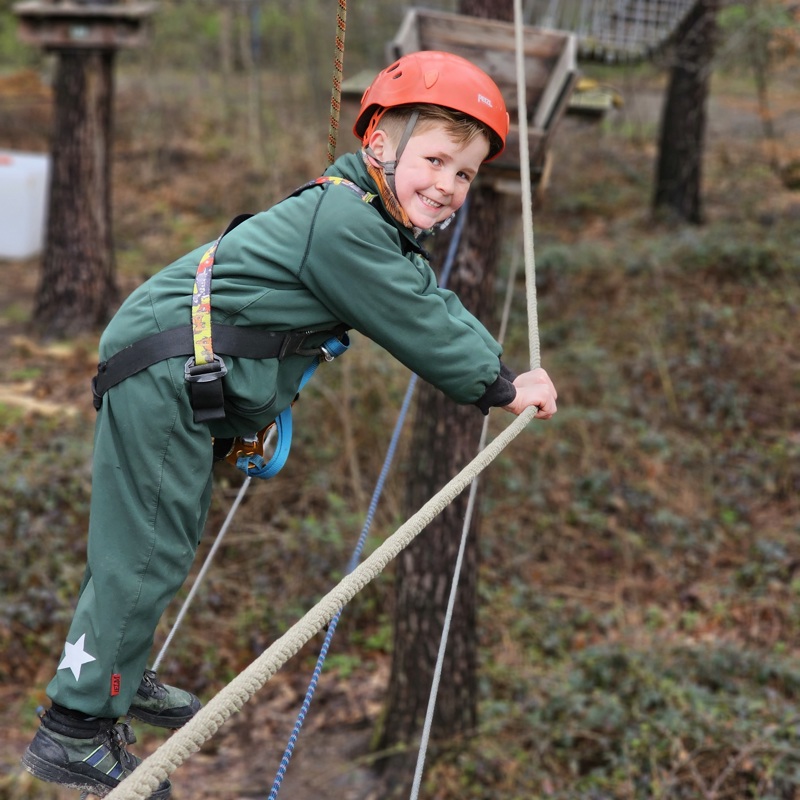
681 146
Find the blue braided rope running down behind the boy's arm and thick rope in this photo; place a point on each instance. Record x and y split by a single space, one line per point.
373 505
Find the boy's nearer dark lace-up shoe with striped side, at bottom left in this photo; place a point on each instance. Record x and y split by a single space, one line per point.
94 765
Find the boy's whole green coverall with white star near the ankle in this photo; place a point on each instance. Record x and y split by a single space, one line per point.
313 261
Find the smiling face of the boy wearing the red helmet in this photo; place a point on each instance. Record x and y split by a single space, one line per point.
434 173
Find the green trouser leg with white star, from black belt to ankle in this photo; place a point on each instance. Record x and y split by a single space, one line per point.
151 489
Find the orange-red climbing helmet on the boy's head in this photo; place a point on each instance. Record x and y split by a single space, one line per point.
435 78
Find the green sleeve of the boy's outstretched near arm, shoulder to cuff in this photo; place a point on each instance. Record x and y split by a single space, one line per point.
359 271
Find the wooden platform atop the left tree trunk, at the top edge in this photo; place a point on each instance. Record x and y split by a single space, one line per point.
72 25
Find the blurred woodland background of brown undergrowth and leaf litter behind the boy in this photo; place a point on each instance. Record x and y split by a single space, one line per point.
640 553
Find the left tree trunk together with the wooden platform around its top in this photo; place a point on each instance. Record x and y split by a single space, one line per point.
78 283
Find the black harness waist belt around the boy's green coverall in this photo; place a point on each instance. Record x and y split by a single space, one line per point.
231 340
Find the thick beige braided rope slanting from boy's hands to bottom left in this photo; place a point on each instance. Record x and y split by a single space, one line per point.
187 740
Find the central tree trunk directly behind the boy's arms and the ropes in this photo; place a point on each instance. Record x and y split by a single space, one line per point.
445 439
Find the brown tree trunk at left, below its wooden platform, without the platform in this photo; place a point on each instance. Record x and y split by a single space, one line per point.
77 287
